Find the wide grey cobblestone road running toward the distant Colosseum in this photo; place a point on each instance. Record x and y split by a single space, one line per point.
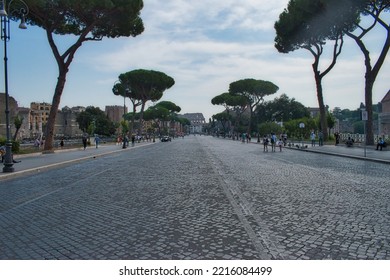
199 198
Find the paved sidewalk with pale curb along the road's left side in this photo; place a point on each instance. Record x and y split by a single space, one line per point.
33 163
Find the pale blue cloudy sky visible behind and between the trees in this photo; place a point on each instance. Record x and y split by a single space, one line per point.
204 45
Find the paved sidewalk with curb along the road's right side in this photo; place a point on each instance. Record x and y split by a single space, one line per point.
357 152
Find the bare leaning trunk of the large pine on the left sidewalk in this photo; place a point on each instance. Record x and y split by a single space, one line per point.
50 126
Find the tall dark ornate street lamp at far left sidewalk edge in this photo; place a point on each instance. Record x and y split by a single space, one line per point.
14 9
